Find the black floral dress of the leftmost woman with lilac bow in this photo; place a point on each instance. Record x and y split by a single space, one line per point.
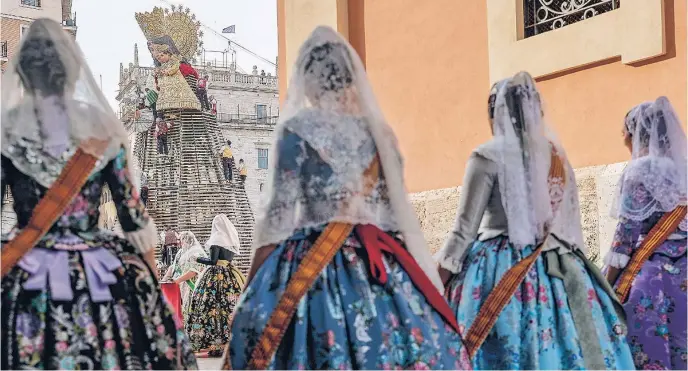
132 329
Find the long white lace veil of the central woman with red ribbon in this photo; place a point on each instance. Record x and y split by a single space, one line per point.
329 70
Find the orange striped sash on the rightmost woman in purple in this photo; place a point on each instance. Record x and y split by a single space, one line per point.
657 235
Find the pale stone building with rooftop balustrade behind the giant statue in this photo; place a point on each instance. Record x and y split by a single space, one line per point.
247 111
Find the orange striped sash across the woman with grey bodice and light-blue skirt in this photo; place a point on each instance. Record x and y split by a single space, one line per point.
506 287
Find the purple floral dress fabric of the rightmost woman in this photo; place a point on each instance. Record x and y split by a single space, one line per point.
657 304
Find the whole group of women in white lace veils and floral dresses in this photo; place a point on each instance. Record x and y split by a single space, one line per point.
341 276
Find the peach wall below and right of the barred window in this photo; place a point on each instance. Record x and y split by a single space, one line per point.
587 107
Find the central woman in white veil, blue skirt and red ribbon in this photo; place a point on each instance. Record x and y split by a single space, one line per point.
337 189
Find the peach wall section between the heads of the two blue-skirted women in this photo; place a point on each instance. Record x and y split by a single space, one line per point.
428 63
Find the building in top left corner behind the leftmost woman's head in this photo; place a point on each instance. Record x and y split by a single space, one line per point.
17 15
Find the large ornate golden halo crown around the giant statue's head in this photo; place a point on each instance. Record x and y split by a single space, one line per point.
177 23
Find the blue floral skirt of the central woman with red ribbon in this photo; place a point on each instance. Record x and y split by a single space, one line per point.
346 320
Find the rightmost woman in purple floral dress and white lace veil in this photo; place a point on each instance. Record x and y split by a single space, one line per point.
652 185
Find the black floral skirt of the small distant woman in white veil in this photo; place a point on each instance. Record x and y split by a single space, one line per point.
211 307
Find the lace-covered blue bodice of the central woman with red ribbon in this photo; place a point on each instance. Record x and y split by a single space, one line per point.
319 179
